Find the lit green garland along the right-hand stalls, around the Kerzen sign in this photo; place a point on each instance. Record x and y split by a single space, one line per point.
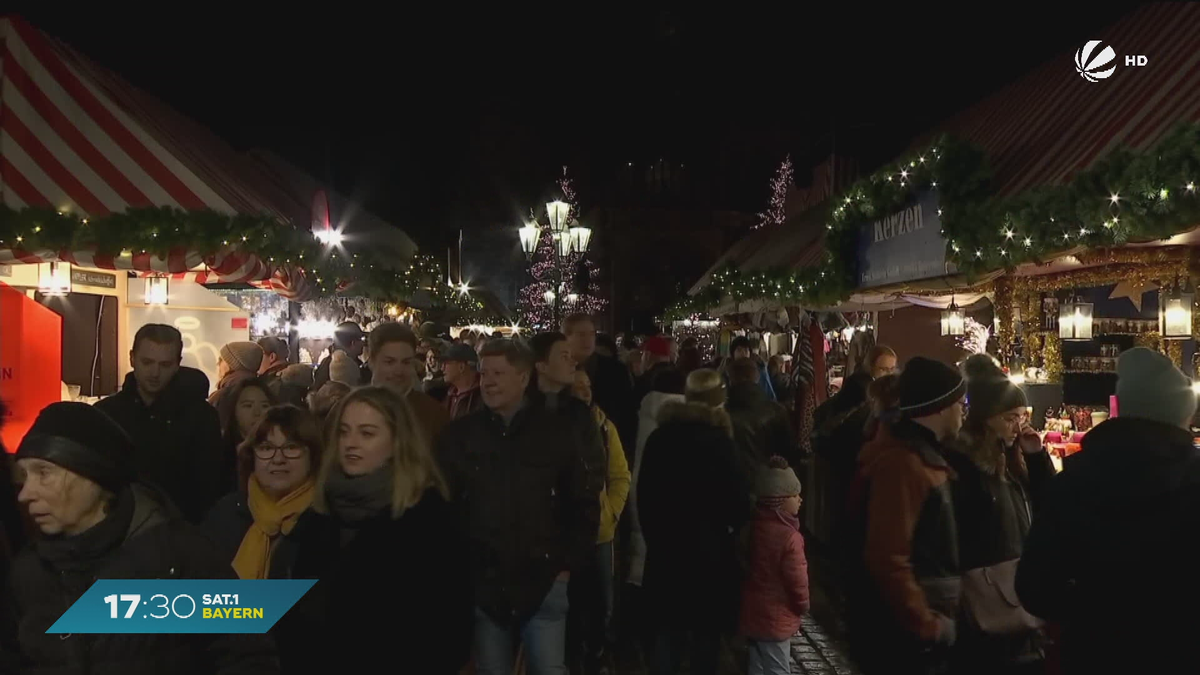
1126 198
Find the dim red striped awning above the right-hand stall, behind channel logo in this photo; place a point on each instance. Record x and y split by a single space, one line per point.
1052 124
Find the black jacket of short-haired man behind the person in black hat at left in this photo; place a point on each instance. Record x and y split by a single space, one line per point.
177 440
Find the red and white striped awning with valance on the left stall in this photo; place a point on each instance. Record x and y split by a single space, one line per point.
76 138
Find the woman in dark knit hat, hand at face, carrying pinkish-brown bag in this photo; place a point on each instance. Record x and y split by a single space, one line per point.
999 467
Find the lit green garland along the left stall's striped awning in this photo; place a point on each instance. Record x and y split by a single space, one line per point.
158 230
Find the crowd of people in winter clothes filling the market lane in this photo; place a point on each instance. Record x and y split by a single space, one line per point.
532 505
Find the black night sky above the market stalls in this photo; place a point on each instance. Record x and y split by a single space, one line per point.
441 118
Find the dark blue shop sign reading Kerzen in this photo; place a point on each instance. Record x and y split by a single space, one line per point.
905 246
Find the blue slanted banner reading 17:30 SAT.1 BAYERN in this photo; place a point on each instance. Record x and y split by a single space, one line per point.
182 606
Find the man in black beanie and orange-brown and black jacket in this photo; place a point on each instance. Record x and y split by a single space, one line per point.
907 599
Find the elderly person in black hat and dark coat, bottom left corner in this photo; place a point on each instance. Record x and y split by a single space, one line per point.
95 523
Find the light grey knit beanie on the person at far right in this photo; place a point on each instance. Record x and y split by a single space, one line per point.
1150 387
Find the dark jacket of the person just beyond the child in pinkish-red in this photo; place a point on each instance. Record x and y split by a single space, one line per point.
760 428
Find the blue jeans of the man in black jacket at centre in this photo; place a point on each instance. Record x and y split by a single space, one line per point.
544 638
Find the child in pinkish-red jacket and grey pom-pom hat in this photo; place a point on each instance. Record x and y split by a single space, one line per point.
776 593
